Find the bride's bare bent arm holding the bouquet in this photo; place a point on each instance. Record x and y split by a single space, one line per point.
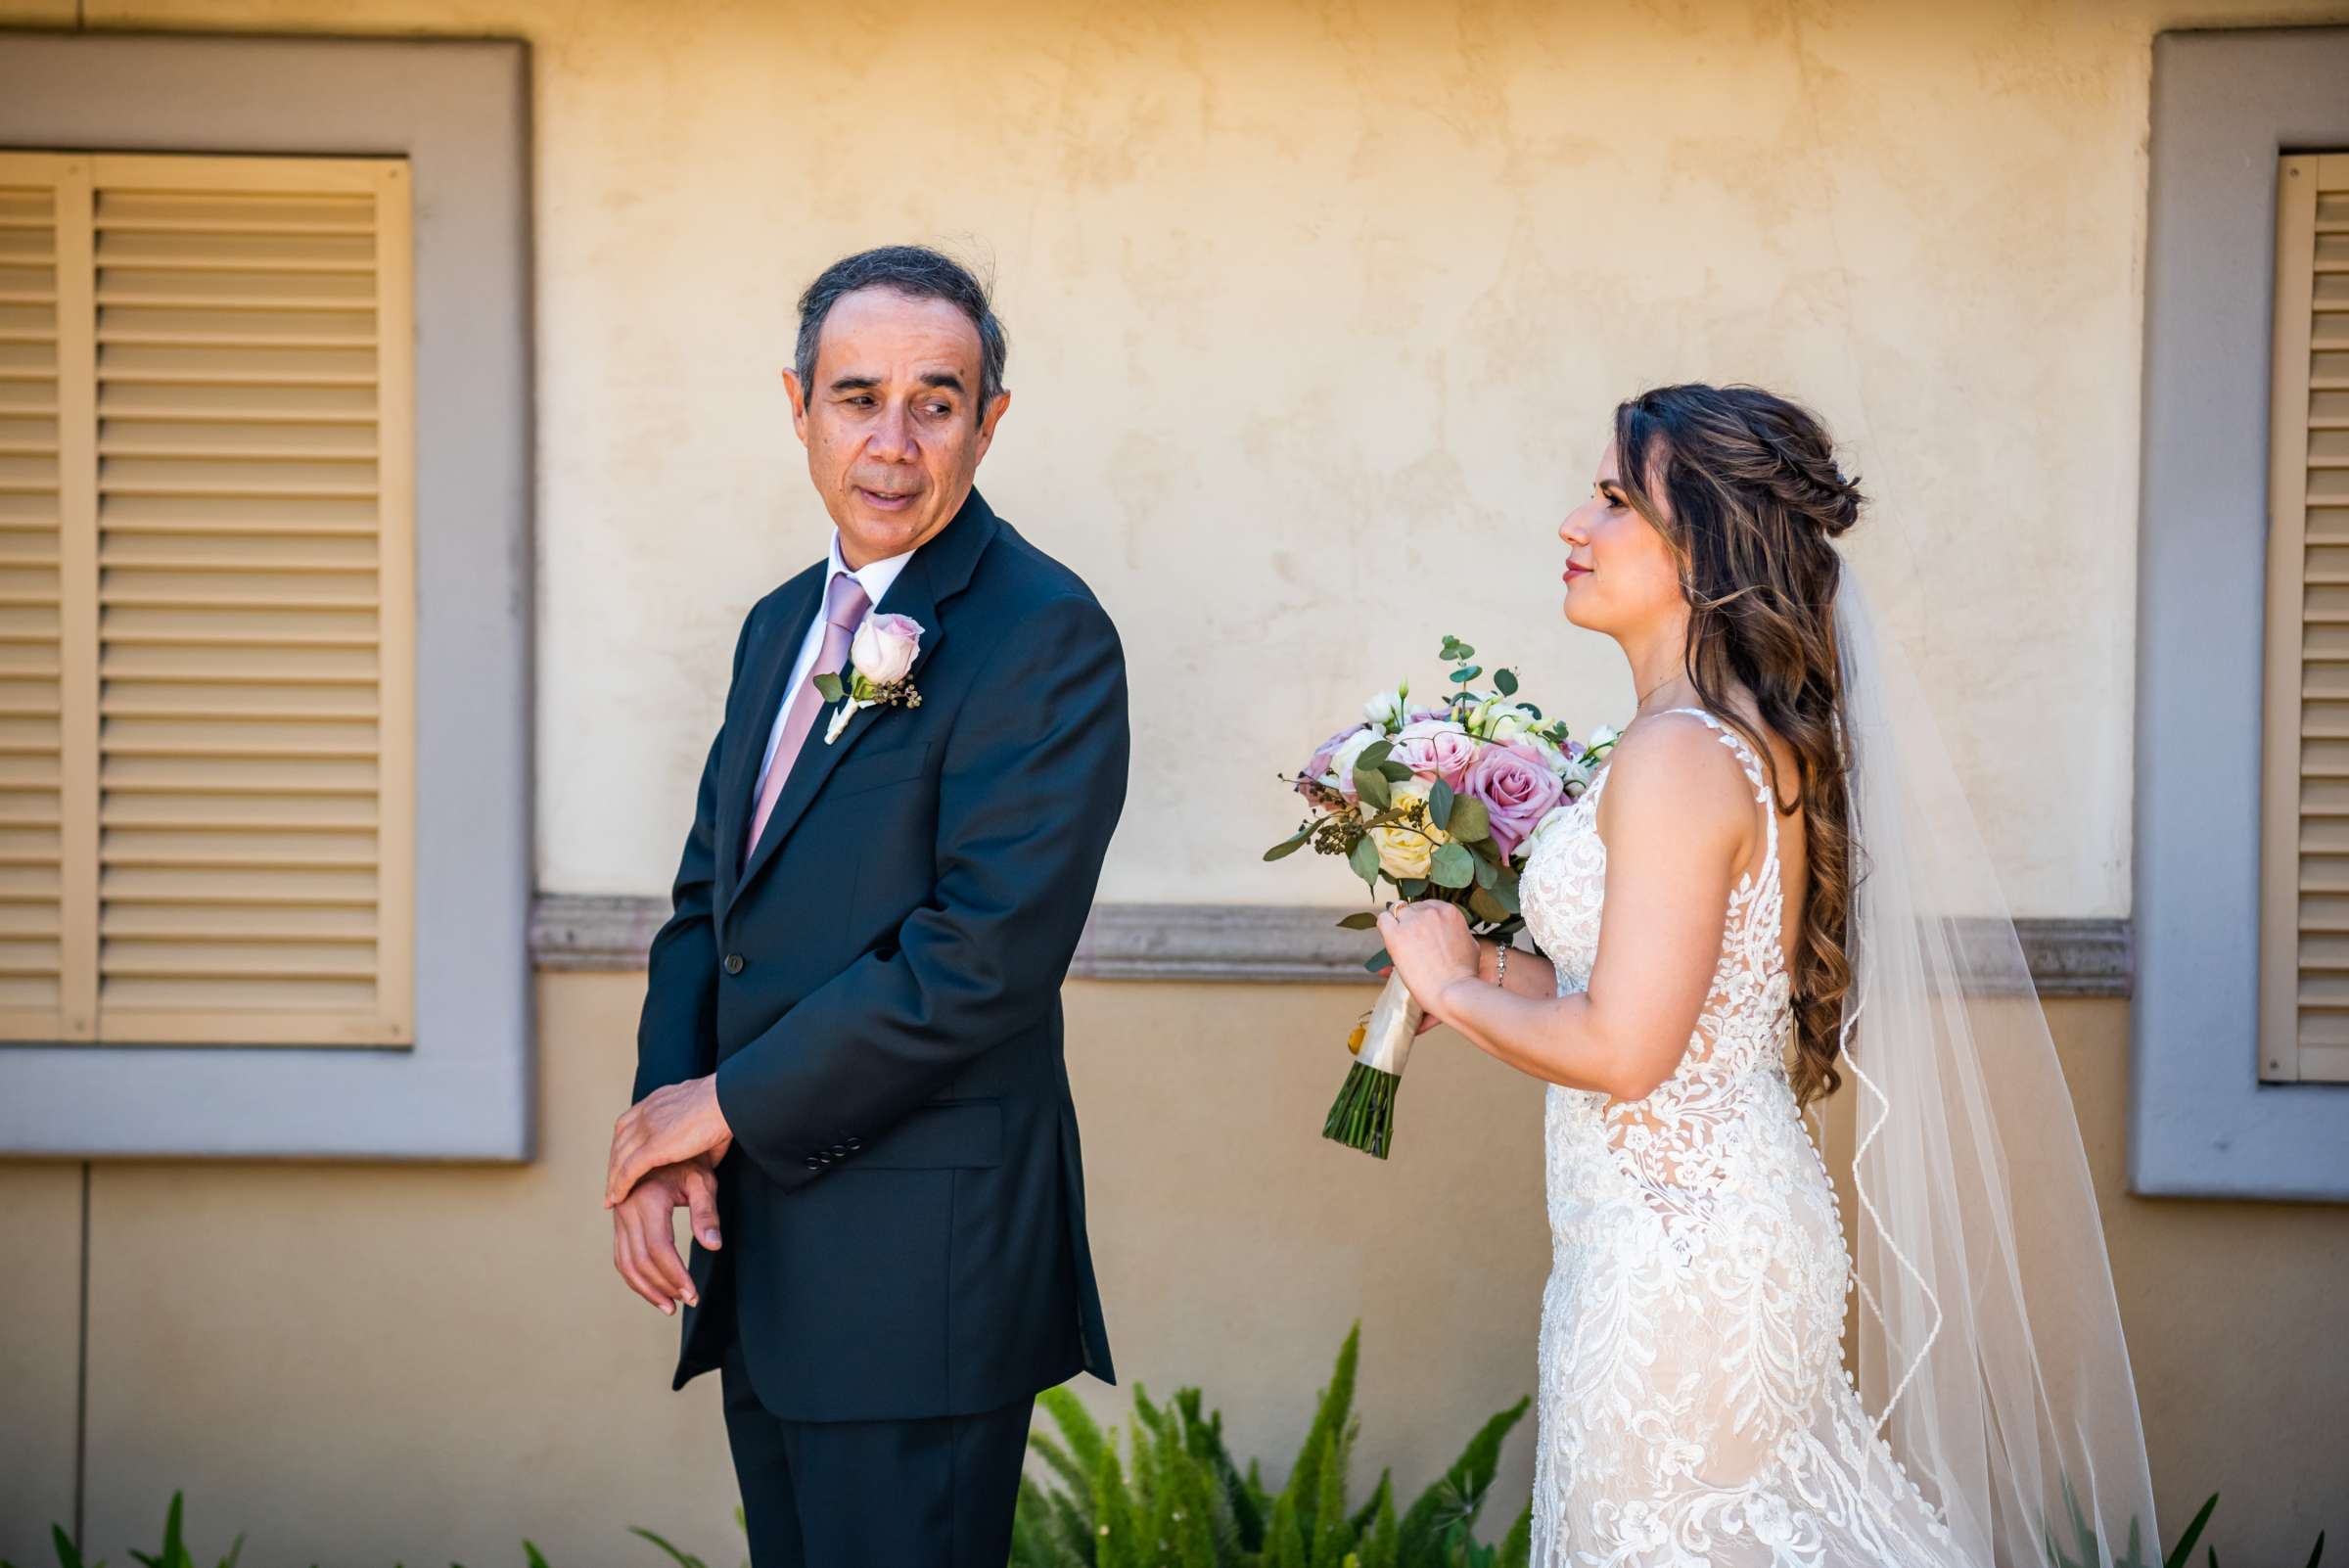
1676 820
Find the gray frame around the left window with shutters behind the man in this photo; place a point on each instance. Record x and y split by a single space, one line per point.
459 111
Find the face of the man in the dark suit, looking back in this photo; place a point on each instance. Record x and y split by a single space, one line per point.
894 424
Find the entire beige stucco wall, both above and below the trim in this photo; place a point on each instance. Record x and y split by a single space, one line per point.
1310 309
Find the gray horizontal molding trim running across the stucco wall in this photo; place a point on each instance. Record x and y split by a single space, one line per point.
1248 942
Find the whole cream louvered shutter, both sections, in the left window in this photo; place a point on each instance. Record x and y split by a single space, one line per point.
208 616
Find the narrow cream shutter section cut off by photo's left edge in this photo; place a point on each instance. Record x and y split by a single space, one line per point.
48 820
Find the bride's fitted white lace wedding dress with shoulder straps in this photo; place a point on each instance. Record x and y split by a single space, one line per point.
1695 1407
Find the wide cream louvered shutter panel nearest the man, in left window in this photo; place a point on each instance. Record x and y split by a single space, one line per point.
255 593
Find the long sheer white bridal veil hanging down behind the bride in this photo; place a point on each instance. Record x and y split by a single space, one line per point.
1988 1337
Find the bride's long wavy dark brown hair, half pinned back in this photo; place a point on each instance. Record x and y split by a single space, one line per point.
1754 496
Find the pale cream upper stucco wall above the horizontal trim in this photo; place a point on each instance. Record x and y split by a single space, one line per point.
1312 311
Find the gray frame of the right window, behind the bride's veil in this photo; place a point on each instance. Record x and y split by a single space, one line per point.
2226 107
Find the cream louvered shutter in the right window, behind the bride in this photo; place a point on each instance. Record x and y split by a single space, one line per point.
2306 860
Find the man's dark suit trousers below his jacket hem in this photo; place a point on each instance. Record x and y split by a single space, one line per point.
875 1494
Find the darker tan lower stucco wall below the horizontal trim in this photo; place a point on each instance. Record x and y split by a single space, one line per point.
426 1365
